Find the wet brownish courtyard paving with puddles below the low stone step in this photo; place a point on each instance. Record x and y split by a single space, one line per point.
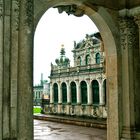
45 130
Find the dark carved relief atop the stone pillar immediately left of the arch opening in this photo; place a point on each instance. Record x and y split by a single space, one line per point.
29 12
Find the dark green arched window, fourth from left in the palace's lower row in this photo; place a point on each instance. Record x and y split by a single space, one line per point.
83 86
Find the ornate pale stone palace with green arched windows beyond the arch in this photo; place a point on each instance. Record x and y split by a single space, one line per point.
80 90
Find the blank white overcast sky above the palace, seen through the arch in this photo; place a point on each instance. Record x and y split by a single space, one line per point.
52 31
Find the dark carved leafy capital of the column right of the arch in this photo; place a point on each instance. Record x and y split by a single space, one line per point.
127 32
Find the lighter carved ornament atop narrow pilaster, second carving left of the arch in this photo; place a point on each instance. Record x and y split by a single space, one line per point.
15 6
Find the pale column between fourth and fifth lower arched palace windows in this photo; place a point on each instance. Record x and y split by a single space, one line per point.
89 93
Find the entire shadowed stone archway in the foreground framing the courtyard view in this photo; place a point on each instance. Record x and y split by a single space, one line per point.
18 19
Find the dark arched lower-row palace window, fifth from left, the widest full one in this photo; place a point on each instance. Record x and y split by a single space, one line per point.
95 91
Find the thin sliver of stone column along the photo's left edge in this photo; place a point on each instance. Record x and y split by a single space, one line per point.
1 65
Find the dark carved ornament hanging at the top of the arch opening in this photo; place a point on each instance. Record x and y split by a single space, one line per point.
71 9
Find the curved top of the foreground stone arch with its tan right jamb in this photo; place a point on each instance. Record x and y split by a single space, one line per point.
109 31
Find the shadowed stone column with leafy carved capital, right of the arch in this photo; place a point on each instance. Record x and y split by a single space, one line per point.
127 34
